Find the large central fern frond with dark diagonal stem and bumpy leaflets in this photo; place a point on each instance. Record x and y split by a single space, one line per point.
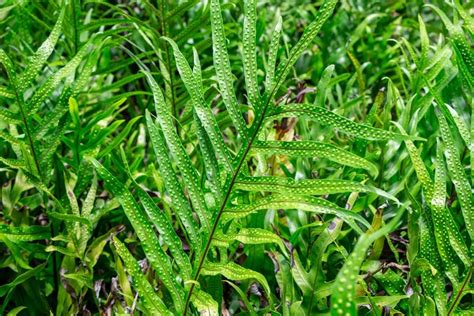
226 173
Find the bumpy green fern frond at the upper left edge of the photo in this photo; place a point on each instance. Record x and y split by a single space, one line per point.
35 152
